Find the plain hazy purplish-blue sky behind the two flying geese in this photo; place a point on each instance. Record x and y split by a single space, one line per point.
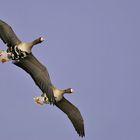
92 46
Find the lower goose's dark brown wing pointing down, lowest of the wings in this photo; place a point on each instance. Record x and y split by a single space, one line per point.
73 114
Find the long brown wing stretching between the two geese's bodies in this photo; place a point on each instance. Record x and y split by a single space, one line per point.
39 74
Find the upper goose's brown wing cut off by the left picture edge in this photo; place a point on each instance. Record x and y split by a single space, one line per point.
7 35
